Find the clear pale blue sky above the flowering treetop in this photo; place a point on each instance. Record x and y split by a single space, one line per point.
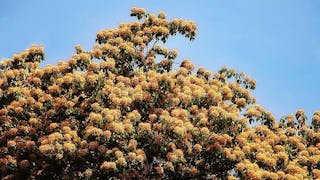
275 42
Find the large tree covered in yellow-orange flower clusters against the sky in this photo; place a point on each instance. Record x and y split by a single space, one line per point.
122 110
